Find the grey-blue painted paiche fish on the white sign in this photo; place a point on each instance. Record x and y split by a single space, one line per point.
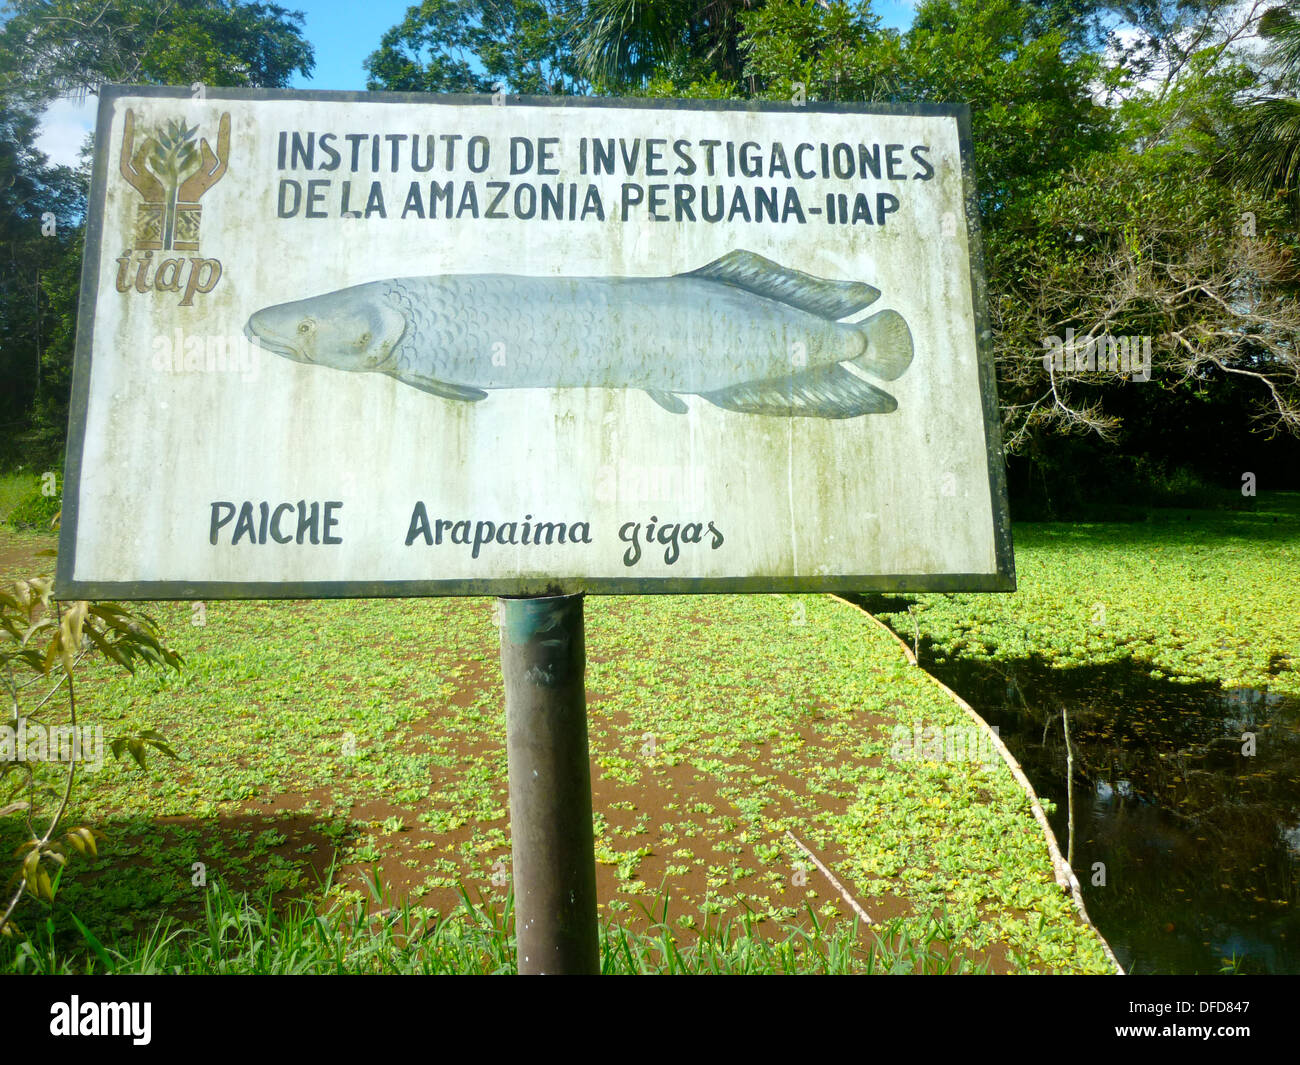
743 332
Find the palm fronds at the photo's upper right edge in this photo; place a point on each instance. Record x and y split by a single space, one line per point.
1268 157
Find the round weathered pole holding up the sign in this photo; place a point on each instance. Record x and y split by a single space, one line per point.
544 661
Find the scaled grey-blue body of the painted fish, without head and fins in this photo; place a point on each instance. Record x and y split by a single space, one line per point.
497 331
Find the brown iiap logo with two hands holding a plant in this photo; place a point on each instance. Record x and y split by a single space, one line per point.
171 170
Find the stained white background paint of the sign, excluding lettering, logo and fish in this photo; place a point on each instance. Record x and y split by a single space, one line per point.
912 500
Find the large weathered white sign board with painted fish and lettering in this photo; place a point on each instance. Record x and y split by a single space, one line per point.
392 345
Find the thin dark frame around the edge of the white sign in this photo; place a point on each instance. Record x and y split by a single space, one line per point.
67 588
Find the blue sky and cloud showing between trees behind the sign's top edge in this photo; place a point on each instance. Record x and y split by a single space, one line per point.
344 33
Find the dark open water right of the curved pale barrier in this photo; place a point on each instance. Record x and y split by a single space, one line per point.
1201 843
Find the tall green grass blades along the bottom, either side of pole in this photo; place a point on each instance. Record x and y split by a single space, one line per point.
242 936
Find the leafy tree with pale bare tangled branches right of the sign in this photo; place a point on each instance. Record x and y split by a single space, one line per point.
1150 250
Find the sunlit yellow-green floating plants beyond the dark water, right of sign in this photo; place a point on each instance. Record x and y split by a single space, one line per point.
1198 595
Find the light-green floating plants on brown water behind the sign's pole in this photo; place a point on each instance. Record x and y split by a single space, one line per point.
370 733
